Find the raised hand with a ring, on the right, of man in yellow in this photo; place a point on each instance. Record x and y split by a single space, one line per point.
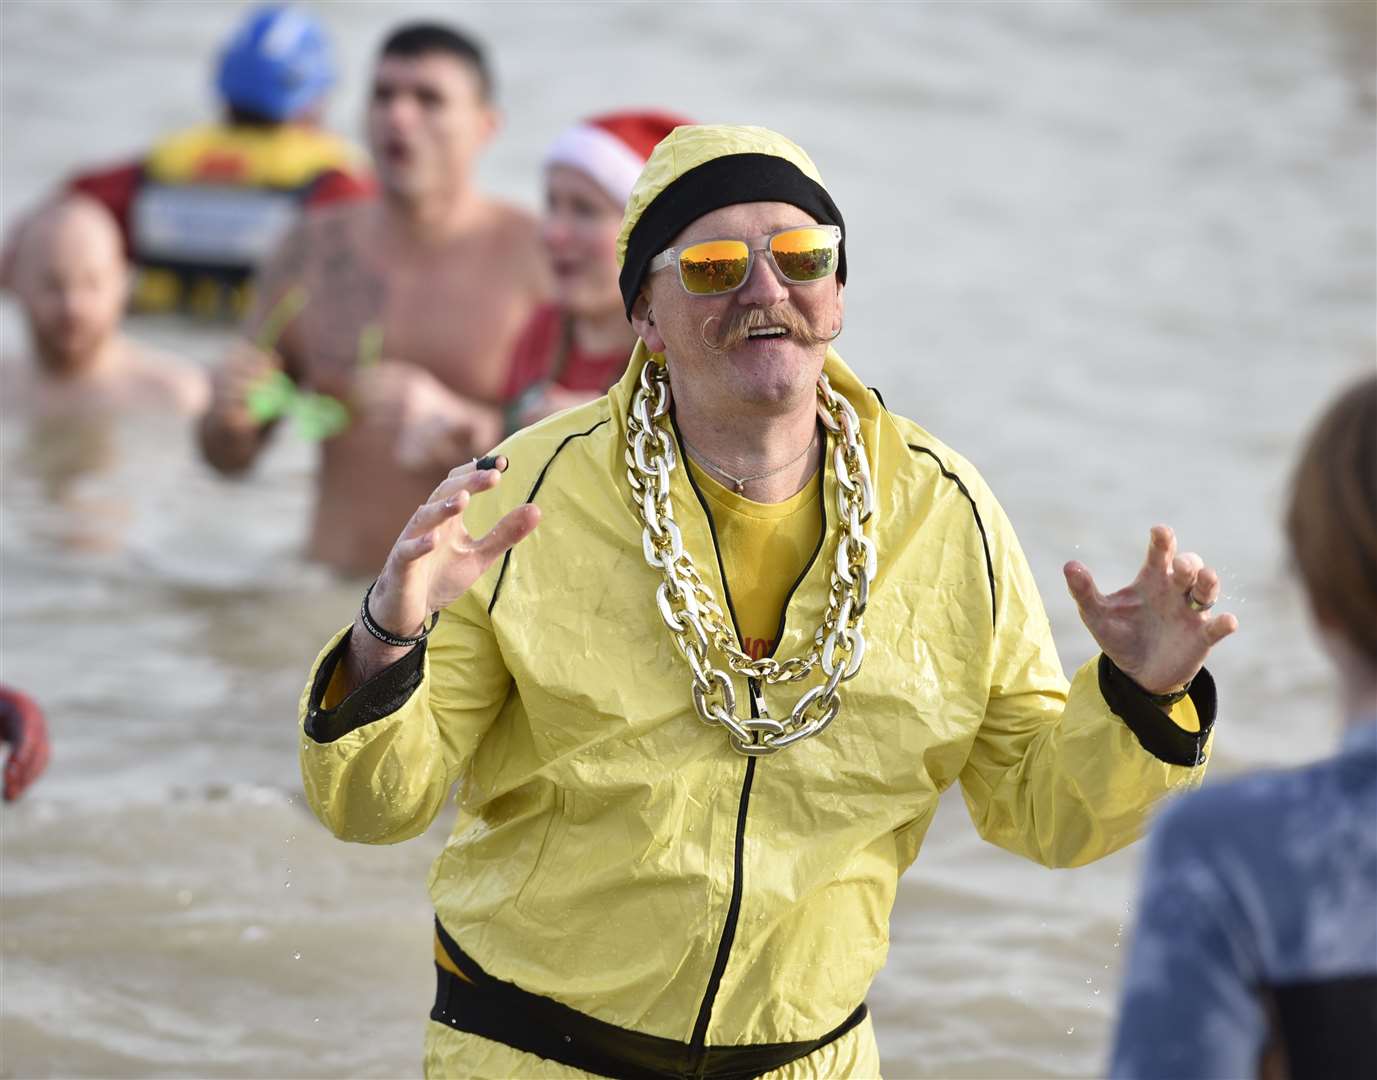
1160 629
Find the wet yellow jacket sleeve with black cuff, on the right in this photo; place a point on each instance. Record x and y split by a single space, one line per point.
1065 775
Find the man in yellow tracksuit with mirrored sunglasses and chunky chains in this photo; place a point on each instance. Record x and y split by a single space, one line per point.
702 717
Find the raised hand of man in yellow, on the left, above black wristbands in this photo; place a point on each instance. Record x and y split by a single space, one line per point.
434 563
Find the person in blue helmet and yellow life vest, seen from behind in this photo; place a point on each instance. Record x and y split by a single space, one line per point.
206 206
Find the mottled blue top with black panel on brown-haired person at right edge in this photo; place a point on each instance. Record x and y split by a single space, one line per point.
1258 917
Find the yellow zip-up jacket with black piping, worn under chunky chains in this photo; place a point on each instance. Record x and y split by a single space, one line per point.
616 855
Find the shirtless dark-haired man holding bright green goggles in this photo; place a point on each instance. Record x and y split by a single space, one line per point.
404 308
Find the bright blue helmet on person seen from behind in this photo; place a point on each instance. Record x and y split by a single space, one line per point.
277 64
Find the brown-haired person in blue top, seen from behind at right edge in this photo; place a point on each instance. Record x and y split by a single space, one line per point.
1257 951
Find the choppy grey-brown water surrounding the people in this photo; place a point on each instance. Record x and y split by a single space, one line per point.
1117 254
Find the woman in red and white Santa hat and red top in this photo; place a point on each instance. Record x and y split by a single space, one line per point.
578 346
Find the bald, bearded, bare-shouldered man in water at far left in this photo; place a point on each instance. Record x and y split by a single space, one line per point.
72 282
